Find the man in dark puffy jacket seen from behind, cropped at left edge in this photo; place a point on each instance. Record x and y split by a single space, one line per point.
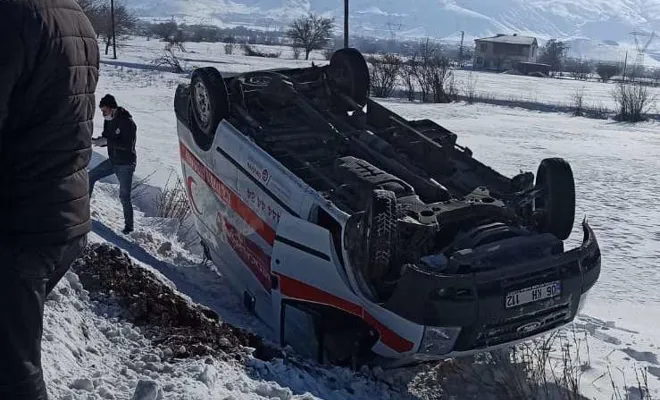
49 62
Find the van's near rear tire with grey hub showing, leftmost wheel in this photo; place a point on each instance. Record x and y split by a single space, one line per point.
210 99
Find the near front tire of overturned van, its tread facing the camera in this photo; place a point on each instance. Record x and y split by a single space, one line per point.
381 234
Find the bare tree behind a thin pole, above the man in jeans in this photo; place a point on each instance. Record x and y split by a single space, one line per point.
125 21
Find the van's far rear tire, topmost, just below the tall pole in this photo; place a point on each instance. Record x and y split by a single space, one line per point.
350 73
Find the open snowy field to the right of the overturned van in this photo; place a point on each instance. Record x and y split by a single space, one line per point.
617 174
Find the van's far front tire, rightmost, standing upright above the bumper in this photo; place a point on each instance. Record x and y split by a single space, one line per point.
557 204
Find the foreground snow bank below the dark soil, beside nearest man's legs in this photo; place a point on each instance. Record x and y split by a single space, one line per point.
91 351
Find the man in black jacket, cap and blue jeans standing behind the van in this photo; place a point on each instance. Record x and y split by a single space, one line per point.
119 134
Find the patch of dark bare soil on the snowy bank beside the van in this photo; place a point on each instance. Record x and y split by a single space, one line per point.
165 317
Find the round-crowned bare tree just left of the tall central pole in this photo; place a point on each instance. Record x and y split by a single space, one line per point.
311 32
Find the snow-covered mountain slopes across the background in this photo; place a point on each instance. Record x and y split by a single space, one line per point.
595 19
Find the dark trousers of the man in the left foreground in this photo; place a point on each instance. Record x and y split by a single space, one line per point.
30 272
